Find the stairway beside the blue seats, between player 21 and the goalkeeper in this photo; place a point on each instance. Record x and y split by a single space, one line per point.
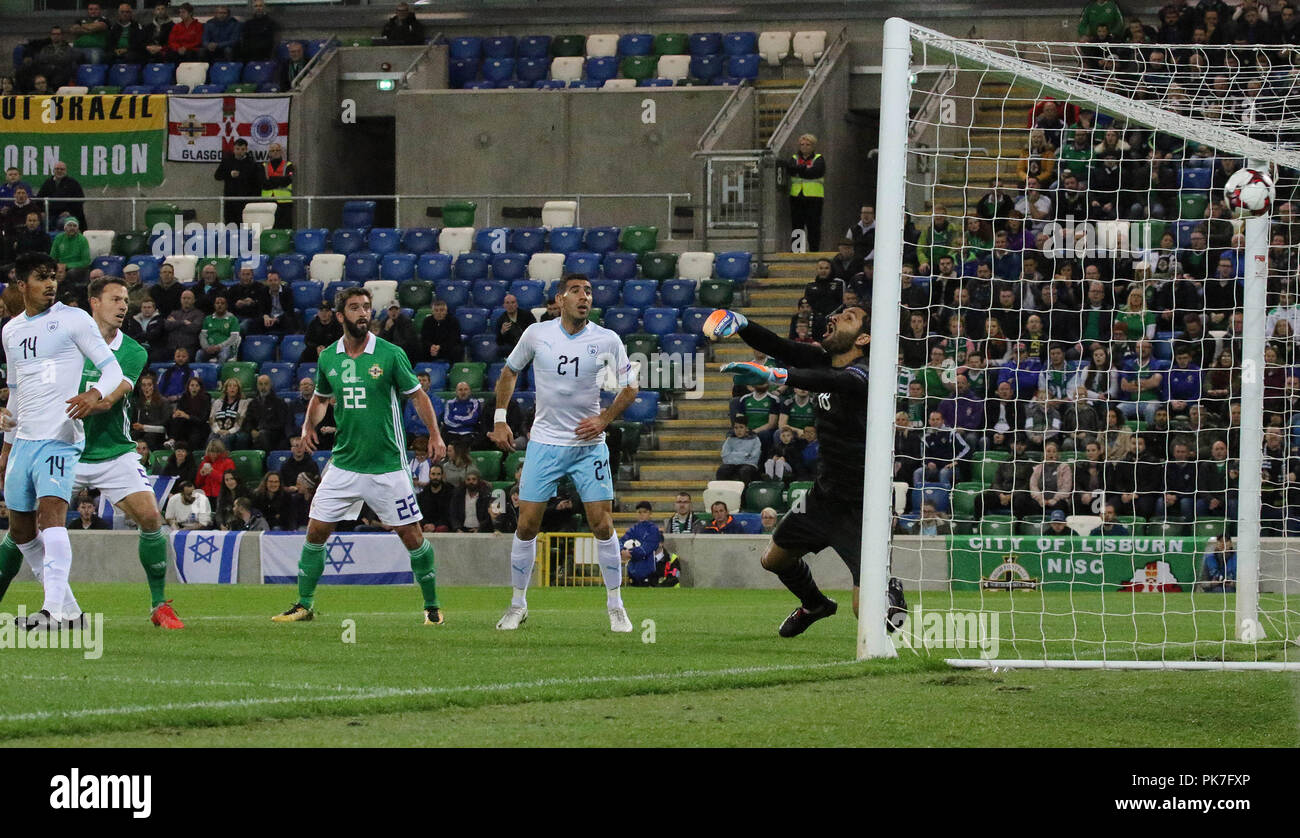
687 453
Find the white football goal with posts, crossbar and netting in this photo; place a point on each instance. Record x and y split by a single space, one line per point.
1095 423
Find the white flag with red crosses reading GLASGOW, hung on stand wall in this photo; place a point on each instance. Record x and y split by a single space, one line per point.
202 128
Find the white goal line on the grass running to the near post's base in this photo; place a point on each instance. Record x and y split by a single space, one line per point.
387 693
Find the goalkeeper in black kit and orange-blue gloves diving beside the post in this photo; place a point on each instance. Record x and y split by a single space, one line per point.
831 514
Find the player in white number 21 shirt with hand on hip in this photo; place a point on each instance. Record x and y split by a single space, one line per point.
571 358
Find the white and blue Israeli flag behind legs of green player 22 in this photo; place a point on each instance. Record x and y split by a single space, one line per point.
350 559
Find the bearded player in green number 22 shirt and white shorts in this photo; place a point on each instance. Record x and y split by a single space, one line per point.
366 377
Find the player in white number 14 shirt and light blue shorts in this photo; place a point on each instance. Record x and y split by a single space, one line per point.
46 350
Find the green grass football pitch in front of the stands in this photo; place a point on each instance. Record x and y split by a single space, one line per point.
710 671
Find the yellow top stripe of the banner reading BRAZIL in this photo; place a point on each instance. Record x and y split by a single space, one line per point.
83 115
